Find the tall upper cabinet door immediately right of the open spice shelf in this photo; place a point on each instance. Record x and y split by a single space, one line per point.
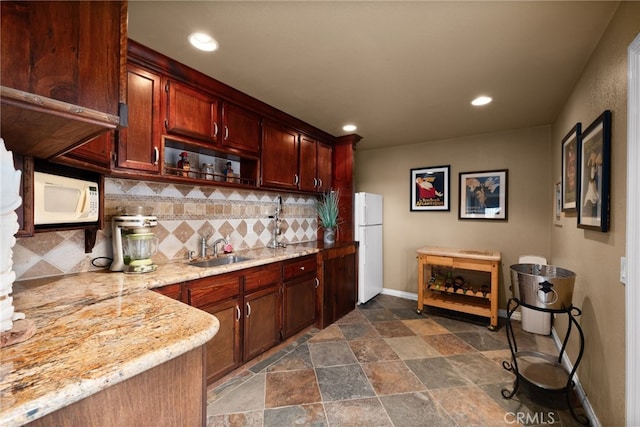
279 157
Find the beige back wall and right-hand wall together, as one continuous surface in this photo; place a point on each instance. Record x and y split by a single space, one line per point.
533 157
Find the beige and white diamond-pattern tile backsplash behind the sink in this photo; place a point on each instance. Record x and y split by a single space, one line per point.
185 213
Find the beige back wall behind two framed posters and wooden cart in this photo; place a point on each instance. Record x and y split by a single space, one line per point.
525 153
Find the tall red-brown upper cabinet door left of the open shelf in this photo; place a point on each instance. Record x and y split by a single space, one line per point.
138 144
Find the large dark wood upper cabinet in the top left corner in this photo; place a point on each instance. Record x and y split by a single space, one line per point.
60 72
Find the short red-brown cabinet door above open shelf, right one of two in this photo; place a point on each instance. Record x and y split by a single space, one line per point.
241 129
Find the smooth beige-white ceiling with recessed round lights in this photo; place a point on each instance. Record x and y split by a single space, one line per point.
403 72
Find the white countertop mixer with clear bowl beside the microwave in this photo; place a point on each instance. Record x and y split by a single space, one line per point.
133 240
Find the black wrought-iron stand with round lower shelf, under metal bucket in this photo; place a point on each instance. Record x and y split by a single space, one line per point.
542 371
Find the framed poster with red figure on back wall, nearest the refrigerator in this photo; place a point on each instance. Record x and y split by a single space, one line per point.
430 189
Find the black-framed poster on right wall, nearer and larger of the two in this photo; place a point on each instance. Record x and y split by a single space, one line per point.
594 169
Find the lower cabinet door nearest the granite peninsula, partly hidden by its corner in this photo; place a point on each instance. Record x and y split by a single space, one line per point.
223 350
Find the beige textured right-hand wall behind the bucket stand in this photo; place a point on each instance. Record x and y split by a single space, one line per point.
595 256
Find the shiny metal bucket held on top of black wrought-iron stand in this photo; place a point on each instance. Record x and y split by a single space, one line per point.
543 286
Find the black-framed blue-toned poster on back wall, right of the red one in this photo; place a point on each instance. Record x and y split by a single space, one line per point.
483 195
